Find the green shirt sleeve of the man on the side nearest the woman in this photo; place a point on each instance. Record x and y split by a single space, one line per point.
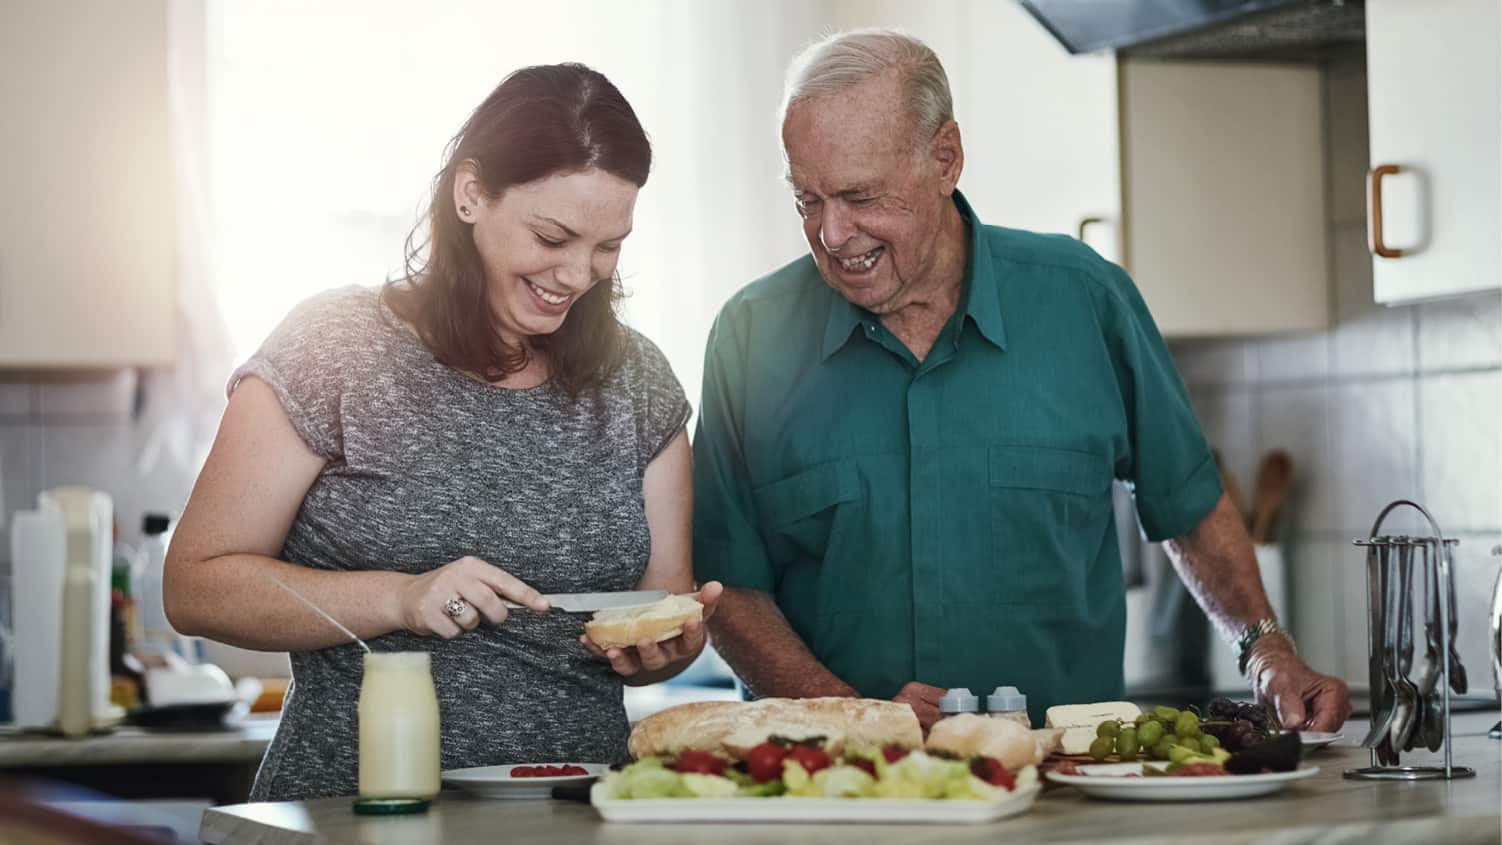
728 546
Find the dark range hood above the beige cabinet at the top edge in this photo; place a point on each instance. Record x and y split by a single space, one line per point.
1205 29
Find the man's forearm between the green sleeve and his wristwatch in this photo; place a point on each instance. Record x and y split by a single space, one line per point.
1220 570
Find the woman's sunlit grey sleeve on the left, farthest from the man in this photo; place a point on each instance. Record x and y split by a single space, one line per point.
307 362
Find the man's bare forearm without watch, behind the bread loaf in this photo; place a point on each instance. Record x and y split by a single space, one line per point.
753 636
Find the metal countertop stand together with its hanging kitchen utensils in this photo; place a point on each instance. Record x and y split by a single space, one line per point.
1408 715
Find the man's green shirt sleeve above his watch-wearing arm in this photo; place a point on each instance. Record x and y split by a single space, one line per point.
1171 465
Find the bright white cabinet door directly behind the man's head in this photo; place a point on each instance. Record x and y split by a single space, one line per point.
1039 127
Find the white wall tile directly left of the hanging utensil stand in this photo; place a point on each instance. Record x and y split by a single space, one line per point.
1317 601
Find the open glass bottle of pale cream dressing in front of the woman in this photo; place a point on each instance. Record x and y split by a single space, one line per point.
399 733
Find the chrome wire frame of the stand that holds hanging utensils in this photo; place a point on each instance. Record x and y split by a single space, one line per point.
1441 574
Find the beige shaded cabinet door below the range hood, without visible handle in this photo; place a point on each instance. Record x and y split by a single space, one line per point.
1223 184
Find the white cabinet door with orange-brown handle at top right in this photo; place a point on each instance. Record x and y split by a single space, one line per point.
1435 91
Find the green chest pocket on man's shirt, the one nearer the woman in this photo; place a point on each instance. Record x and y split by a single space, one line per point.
804 513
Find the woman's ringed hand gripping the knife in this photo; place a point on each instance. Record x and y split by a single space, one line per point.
424 603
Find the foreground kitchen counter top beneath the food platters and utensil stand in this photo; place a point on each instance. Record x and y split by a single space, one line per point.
1324 810
